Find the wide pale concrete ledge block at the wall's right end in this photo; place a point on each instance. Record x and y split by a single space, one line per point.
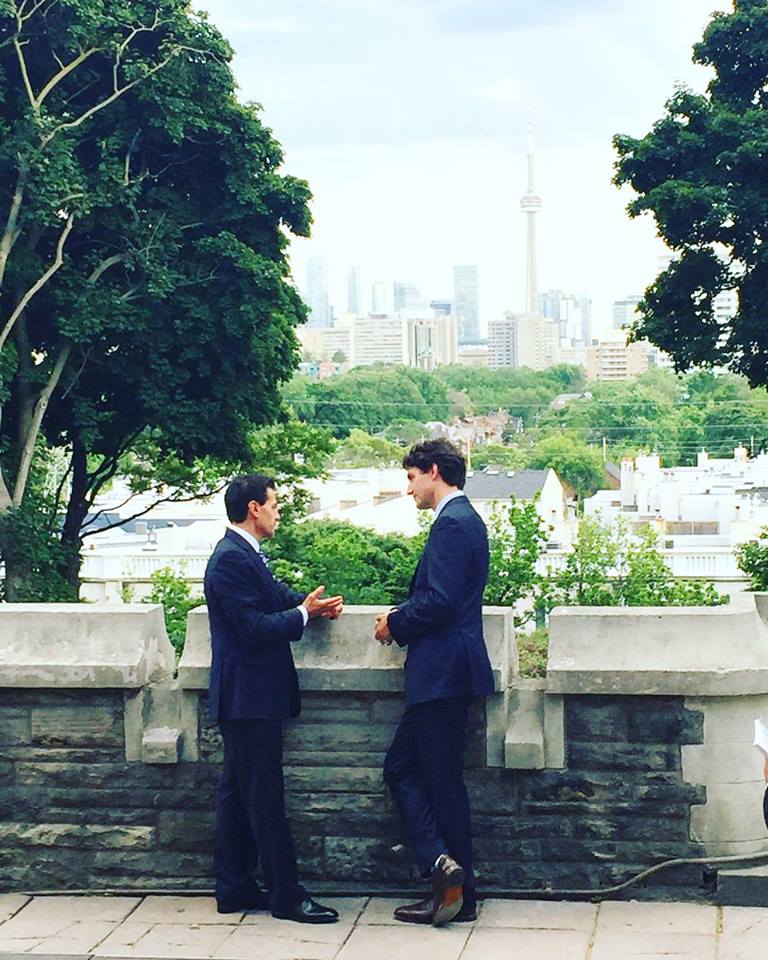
688 651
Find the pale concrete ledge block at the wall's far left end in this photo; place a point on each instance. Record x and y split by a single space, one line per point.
75 645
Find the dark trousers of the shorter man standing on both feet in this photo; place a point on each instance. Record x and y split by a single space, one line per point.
250 816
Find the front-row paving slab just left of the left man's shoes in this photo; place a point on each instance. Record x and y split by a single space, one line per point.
167 940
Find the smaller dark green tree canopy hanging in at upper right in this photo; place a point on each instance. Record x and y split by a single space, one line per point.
701 172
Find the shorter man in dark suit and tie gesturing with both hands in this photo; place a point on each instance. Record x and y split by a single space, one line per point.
254 619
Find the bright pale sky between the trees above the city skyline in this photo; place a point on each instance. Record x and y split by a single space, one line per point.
409 119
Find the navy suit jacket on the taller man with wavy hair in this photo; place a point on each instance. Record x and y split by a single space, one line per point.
442 621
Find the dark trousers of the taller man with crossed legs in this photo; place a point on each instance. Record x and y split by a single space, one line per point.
424 770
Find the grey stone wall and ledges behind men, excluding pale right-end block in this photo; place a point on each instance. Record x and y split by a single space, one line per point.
108 776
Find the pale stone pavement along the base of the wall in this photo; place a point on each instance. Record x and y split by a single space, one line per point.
189 927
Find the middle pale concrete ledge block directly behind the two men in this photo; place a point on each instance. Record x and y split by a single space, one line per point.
342 655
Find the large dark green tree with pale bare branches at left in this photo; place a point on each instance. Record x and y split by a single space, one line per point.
145 295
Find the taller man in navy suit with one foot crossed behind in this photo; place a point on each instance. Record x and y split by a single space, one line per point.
441 625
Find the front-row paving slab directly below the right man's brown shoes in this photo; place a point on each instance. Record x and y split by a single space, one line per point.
406 942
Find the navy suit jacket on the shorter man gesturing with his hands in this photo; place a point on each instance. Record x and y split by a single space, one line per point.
253 620
